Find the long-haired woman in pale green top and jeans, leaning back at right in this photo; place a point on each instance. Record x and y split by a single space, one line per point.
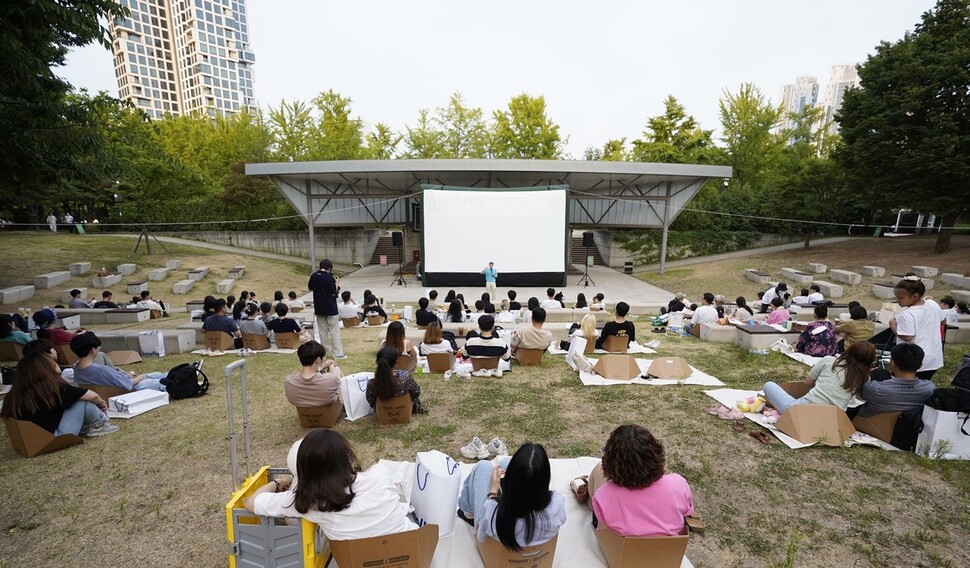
835 380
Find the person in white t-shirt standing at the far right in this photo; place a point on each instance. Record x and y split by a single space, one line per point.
919 322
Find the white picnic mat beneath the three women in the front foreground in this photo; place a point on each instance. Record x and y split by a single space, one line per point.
577 544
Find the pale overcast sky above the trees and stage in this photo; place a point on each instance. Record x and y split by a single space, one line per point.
603 67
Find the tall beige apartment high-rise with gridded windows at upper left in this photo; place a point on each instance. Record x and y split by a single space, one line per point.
184 57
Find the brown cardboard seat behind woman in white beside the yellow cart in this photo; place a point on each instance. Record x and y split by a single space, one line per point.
412 549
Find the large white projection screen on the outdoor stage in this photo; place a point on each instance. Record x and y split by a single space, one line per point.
522 230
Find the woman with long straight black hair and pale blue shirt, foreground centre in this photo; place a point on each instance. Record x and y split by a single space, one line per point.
511 501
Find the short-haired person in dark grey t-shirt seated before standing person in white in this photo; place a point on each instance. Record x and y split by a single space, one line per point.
903 391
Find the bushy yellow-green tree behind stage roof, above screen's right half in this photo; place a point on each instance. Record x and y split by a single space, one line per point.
524 131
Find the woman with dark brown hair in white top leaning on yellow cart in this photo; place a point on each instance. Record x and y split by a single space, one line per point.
332 491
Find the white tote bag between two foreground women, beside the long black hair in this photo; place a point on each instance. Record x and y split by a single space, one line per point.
434 494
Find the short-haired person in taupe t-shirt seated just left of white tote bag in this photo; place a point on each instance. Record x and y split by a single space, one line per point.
318 384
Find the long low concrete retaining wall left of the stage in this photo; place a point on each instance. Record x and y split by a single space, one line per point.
346 246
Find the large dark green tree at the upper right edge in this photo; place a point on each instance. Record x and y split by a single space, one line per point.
907 129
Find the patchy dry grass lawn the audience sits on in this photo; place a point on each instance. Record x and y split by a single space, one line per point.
153 494
